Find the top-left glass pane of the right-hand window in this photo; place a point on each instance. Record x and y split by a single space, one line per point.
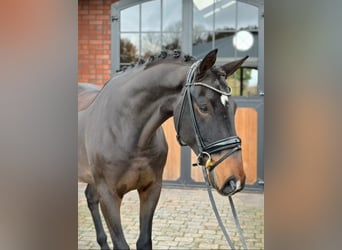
203 15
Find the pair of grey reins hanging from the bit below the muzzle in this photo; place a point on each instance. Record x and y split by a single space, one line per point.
218 217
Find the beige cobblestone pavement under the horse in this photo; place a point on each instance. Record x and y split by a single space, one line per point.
183 220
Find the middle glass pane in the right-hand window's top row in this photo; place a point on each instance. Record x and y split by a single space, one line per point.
225 15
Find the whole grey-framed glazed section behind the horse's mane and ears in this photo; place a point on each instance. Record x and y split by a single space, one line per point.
147 27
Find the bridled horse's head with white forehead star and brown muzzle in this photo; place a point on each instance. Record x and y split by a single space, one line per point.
204 120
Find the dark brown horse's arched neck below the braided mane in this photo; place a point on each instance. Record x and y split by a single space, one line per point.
140 105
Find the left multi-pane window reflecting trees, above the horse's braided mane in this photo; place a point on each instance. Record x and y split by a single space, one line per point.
148 28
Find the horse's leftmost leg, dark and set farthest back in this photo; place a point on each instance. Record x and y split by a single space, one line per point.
93 205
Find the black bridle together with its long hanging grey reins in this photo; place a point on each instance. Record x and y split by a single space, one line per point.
233 143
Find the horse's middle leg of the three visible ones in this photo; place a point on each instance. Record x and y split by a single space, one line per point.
110 206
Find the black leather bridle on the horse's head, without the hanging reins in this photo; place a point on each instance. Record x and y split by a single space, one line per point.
233 143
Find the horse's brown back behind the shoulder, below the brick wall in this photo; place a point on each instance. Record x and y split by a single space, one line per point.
86 95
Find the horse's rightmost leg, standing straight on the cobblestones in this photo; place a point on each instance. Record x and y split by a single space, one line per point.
148 201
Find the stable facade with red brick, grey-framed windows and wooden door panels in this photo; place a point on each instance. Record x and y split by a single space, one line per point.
113 34
